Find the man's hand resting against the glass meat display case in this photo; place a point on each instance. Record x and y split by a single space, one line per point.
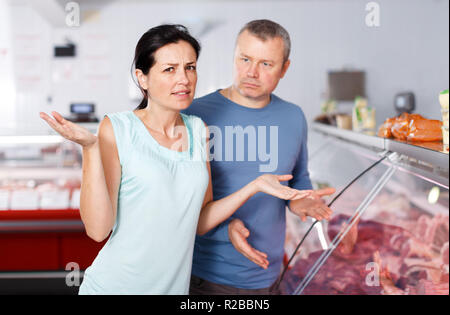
313 206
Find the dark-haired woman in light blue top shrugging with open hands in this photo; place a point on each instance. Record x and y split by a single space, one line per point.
146 177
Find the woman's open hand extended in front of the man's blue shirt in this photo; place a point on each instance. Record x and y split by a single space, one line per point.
270 184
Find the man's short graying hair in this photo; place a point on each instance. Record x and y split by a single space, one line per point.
266 29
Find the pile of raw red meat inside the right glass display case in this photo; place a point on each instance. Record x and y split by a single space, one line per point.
375 258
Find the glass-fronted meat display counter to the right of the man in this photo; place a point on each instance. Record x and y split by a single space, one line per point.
389 232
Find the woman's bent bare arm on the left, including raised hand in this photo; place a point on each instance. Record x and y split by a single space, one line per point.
101 173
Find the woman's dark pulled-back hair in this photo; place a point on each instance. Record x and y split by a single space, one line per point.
154 39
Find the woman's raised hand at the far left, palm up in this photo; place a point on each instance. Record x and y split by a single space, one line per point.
69 130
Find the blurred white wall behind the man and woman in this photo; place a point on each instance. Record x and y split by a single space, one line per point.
409 51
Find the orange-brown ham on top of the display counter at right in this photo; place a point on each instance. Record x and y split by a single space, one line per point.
411 127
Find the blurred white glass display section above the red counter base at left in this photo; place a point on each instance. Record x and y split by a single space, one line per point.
39 172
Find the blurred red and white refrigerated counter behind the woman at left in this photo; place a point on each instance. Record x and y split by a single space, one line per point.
42 237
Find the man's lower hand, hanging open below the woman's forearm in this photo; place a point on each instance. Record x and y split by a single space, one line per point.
238 234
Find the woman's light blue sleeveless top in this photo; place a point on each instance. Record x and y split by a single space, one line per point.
160 198
